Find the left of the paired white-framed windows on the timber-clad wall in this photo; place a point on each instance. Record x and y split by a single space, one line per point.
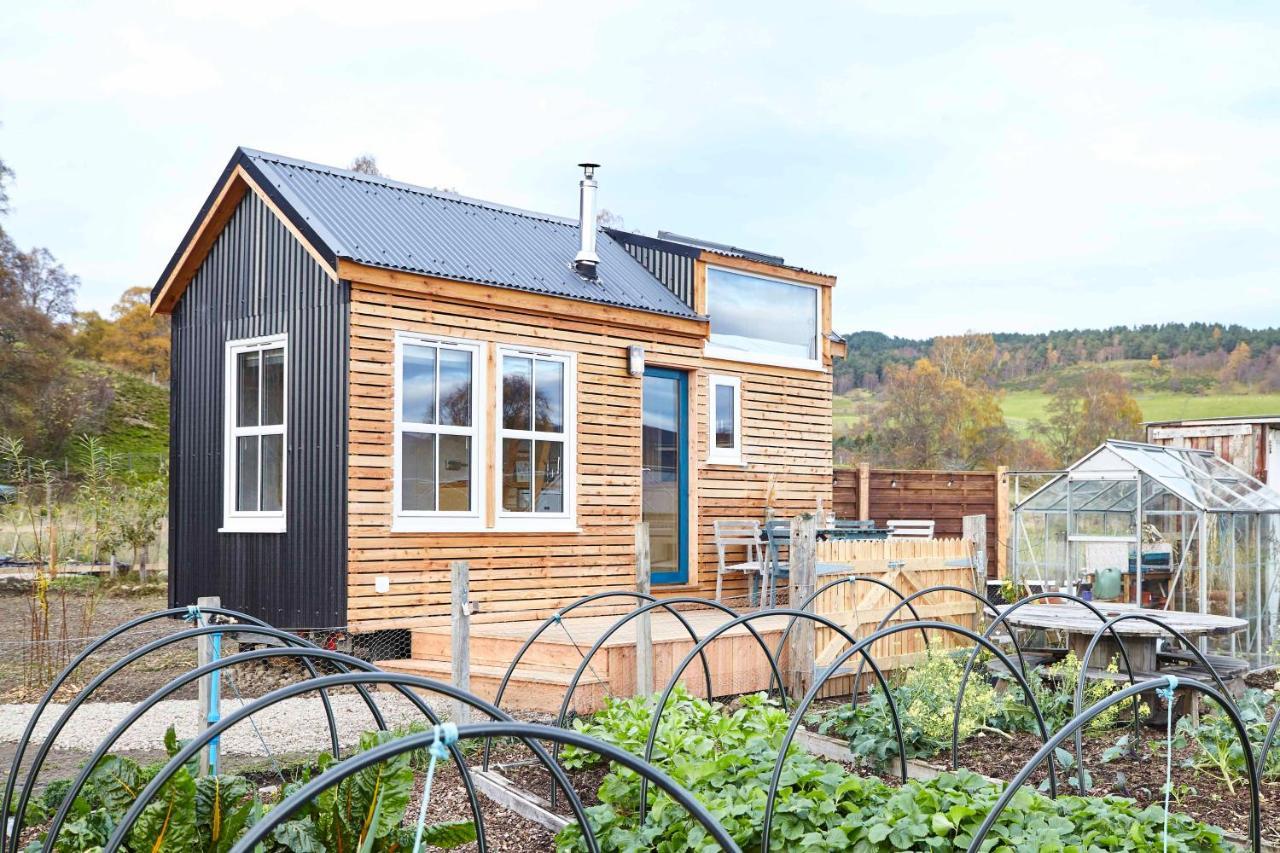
438 434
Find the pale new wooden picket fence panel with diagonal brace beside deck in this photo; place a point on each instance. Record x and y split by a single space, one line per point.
908 567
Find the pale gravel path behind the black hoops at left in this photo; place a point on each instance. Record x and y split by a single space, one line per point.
294 726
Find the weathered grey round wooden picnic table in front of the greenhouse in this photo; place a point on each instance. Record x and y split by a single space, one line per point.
1141 638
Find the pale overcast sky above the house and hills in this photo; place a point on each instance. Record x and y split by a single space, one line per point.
959 166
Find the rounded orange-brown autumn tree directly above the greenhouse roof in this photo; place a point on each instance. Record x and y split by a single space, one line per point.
1089 410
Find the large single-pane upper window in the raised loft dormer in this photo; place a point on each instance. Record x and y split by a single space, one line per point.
765 321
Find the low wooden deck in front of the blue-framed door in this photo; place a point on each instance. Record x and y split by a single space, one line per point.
737 662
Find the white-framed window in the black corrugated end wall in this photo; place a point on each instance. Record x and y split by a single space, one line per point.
255 457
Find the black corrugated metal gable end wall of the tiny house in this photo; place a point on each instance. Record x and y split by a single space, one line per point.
259 280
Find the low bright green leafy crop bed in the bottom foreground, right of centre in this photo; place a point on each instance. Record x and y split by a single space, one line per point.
824 808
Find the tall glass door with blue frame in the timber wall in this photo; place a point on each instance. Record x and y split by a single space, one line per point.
665 498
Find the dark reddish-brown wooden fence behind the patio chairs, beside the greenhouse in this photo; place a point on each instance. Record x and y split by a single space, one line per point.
944 498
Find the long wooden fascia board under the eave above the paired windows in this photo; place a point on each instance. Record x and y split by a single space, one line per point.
509 298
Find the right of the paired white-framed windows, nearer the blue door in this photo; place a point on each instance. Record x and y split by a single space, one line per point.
537 436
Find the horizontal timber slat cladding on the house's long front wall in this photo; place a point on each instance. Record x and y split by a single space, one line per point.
787 425
